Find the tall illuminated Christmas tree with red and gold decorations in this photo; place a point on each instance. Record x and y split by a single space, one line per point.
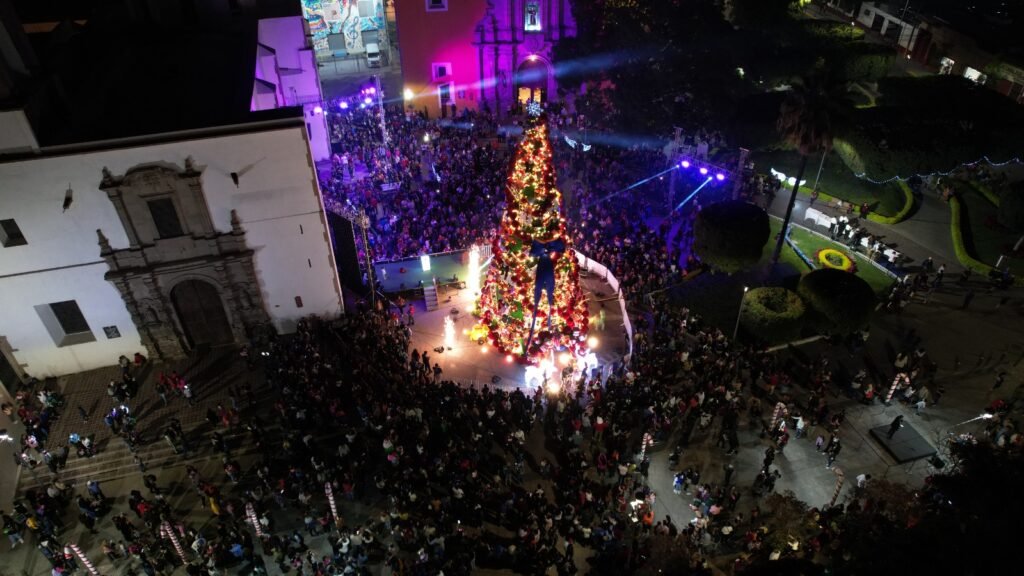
531 303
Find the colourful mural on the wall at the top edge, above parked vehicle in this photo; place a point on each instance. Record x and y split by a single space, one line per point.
345 18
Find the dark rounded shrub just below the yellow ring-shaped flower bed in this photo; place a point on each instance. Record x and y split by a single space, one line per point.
841 302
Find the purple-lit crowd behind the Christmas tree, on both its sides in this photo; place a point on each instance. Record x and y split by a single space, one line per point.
440 187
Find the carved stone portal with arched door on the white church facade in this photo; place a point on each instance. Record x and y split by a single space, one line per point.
185 283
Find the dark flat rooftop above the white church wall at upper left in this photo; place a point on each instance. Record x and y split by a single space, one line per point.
113 78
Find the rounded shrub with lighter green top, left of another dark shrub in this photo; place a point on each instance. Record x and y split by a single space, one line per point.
773 315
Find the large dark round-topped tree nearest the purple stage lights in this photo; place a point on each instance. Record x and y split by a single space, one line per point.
731 235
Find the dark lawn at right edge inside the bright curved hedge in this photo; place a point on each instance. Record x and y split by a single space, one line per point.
985 238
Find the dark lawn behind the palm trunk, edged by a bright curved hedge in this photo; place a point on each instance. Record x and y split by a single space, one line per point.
837 180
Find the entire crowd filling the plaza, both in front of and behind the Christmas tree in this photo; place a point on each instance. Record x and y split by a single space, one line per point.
364 442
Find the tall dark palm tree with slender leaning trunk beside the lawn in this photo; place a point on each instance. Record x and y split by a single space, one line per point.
805 124
